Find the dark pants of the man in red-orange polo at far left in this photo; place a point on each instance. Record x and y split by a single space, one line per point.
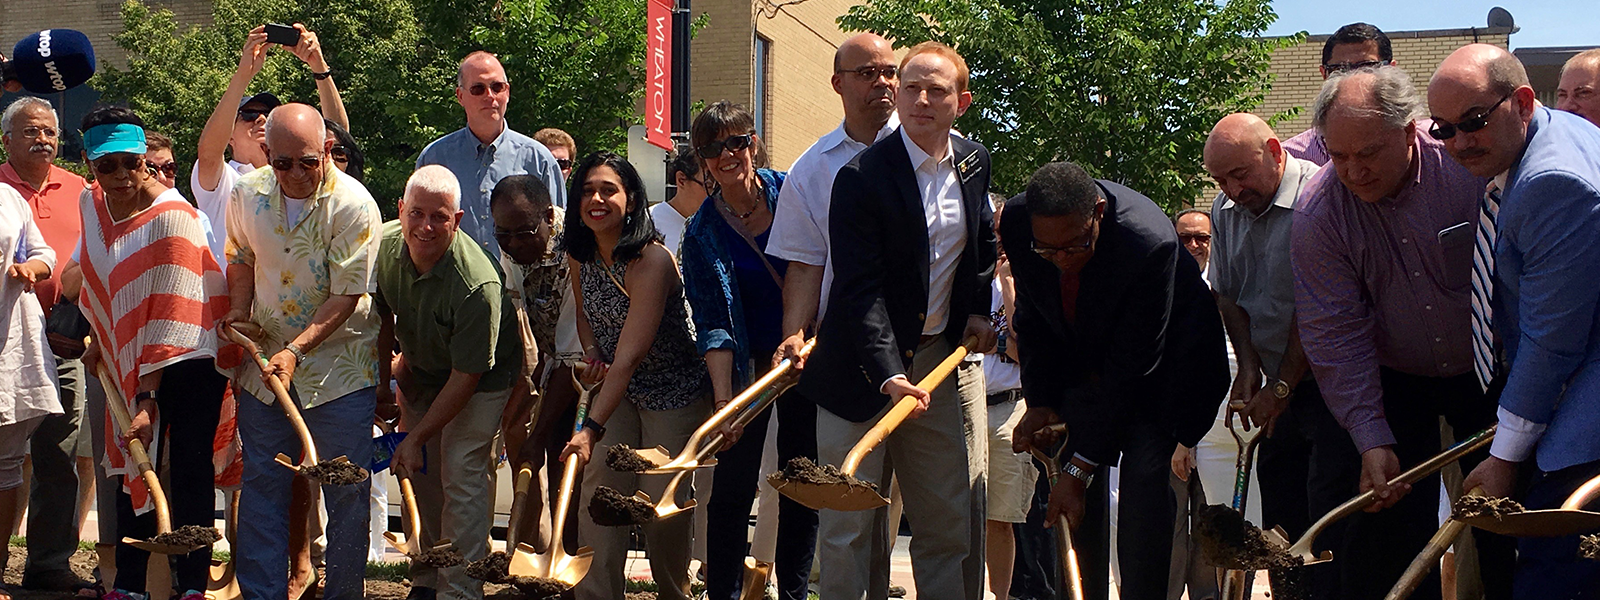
52 522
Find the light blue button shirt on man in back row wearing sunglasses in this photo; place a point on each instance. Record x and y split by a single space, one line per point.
479 167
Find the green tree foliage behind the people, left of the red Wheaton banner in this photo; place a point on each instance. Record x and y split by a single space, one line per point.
575 65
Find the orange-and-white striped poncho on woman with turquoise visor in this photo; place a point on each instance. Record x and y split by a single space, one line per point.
153 292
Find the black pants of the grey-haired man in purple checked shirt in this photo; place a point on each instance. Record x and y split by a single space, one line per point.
1378 546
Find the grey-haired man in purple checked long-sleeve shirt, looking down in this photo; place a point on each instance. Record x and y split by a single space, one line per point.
1382 249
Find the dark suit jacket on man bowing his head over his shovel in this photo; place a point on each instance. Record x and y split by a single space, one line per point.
1148 340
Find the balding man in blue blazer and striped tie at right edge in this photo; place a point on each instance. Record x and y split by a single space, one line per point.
1540 332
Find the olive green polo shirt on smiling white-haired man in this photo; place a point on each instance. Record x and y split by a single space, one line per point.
449 318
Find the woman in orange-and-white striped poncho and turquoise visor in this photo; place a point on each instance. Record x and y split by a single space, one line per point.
153 292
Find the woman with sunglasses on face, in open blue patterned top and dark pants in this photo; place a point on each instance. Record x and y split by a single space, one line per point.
735 292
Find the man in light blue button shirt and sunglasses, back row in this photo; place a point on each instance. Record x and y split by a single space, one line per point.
487 150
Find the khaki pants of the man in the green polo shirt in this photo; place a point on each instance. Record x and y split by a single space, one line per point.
454 495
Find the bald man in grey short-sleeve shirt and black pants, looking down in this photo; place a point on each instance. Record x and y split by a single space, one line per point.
1308 463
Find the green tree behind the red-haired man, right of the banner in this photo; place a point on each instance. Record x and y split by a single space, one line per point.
1126 89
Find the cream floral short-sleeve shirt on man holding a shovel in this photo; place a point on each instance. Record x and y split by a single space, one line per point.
332 250
